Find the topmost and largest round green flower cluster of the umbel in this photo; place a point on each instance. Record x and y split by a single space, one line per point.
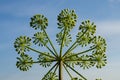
67 19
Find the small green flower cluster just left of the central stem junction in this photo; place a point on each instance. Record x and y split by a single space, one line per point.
45 61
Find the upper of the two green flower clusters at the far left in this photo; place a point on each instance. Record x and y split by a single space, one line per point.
21 43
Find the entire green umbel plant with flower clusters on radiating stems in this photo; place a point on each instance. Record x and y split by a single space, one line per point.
94 56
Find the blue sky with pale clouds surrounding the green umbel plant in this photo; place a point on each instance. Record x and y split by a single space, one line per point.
14 21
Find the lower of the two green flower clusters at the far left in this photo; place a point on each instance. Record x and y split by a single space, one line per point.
24 62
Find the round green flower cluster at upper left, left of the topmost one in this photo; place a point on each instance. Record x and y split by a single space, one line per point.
39 22
